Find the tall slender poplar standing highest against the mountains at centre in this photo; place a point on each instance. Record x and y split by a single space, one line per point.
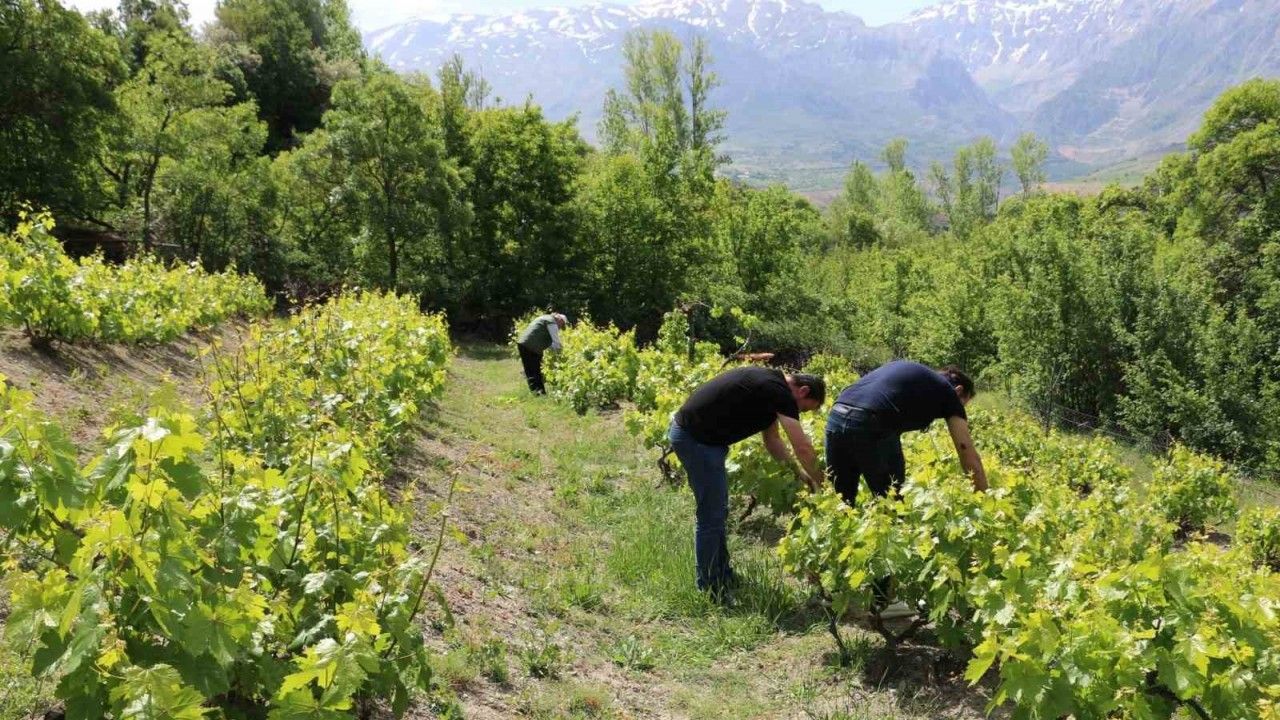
664 120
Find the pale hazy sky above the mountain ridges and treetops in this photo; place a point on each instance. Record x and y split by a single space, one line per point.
373 15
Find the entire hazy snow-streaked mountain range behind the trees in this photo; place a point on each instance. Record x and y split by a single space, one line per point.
808 90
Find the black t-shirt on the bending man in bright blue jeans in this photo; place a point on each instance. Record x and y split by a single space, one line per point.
735 405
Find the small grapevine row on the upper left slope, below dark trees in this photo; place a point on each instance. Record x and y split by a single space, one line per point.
53 298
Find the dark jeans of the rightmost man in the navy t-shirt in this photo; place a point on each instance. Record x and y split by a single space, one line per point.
860 446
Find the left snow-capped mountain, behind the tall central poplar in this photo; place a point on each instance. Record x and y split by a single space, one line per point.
806 90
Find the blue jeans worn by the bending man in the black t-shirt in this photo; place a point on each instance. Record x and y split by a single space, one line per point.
710 482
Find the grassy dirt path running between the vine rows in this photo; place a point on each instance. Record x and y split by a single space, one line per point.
568 584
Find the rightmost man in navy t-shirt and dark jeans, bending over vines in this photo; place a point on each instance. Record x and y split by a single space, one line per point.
868 420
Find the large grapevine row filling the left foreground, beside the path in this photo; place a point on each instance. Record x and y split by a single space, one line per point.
246 562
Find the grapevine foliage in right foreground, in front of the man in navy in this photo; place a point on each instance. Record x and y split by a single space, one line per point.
1080 600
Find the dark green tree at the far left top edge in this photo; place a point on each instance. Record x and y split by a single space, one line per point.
56 108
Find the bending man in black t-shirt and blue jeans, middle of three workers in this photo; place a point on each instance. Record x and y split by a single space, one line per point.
730 408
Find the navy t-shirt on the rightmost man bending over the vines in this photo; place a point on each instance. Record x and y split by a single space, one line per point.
907 397
